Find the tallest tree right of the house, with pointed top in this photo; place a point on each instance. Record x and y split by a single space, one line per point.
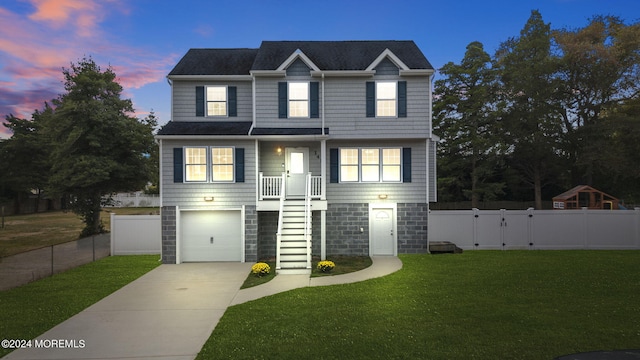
528 71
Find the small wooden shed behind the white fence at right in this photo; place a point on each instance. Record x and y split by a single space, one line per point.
584 196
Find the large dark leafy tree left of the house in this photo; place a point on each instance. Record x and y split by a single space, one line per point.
97 148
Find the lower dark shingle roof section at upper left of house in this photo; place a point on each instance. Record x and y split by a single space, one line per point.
215 62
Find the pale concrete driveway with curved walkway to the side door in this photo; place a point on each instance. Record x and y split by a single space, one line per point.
170 312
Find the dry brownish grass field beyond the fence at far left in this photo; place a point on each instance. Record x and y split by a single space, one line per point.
33 231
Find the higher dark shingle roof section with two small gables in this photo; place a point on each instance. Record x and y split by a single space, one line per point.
339 55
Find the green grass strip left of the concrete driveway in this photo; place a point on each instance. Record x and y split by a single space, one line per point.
32 309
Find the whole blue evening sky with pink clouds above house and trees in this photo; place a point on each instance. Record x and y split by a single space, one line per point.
143 39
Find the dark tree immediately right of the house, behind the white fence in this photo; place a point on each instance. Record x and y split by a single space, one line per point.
464 109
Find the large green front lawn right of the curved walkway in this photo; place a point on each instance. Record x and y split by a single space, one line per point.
476 305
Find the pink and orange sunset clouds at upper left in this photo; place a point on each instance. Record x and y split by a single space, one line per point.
37 43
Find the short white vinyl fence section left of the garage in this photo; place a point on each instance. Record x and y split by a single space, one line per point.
135 234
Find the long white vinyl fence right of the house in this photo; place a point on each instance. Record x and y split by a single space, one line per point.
537 229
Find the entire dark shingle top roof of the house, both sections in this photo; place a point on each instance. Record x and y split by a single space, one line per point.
326 55
